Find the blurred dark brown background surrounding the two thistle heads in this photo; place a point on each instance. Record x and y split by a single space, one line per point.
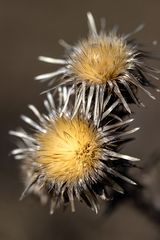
30 28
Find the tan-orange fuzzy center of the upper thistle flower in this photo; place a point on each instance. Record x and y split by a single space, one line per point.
101 59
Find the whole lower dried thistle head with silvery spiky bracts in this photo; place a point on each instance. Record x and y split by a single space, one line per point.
70 156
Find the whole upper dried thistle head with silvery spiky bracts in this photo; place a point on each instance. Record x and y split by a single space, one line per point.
103 63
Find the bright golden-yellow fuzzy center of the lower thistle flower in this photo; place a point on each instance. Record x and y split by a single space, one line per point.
70 150
